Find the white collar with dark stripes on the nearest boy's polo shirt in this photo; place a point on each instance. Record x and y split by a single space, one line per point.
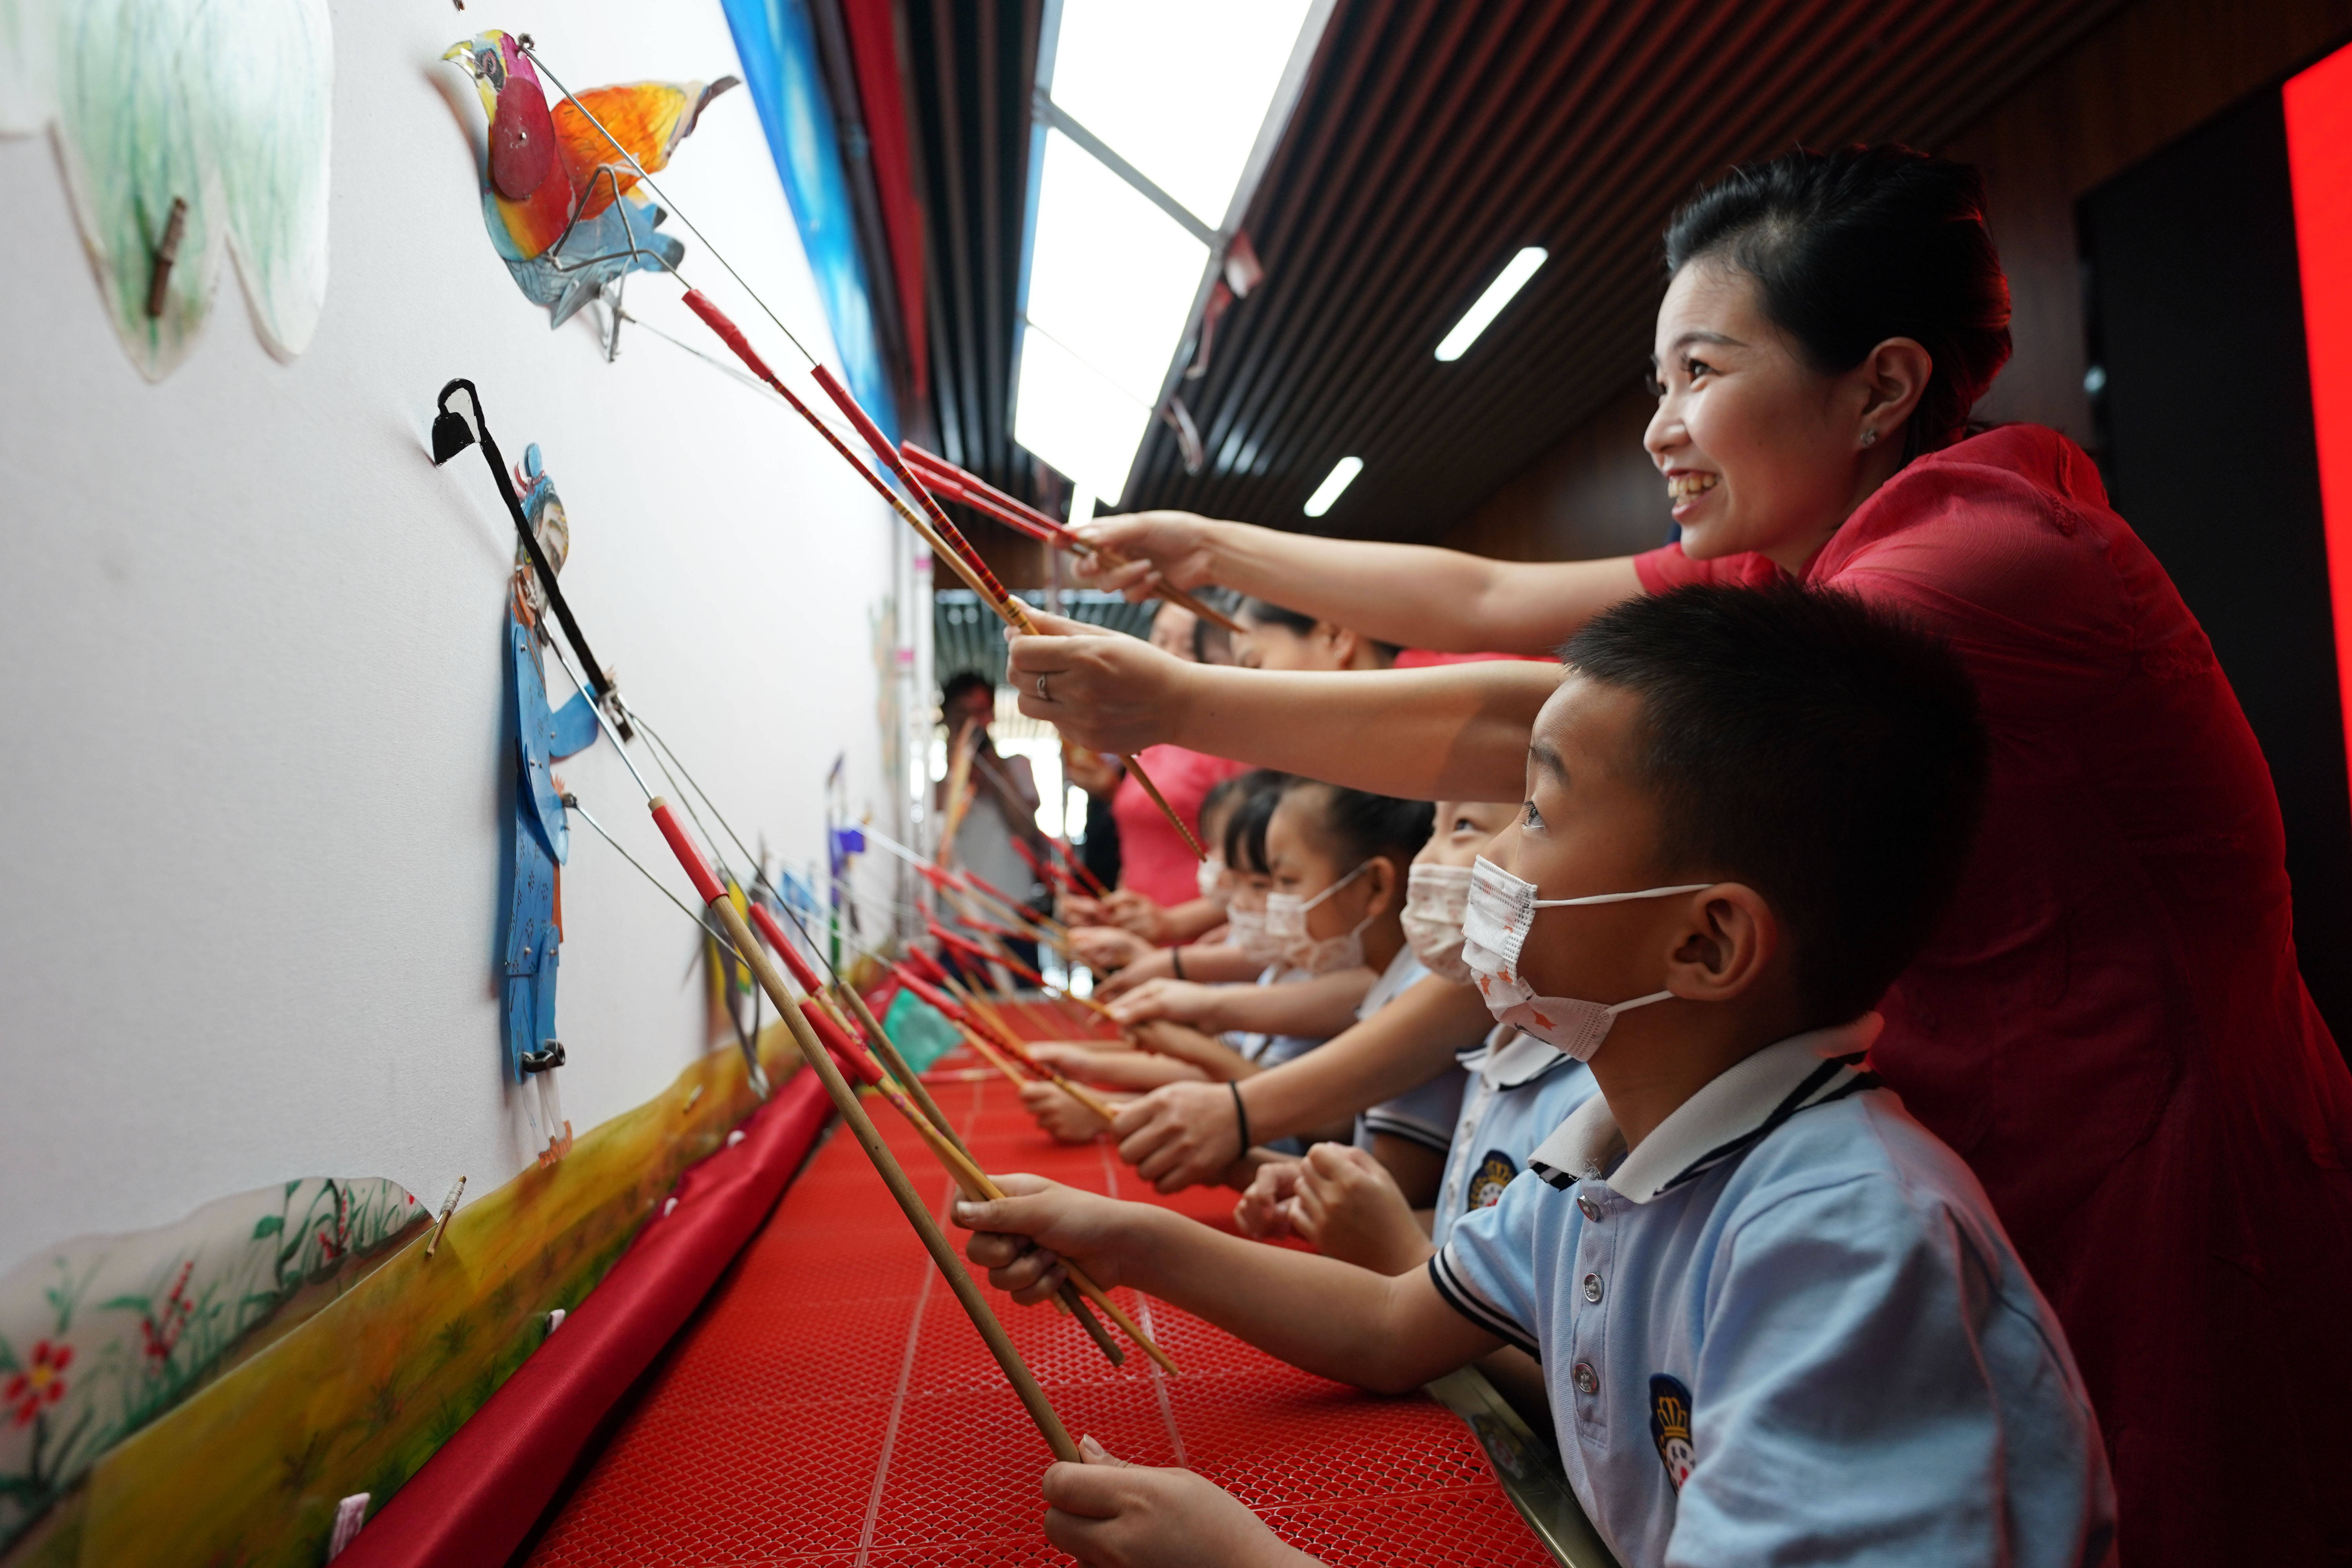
1730 1115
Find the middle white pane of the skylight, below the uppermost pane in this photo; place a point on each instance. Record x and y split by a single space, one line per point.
1111 274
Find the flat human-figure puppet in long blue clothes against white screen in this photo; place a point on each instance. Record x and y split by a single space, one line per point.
540 840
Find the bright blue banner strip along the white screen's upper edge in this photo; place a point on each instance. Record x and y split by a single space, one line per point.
782 72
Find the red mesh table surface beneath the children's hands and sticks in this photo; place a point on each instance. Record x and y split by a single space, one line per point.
834 1405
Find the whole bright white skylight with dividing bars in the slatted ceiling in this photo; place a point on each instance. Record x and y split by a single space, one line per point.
1154 123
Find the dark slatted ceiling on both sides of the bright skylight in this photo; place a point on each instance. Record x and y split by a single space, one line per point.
1436 140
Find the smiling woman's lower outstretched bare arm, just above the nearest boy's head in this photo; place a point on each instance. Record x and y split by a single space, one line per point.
1457 732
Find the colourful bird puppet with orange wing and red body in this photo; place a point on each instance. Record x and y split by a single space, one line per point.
559 199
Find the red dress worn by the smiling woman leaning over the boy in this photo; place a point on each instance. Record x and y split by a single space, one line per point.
2111 1026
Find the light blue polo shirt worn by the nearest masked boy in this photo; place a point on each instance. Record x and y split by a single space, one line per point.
1789 1329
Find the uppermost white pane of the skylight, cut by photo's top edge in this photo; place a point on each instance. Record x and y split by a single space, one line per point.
1177 91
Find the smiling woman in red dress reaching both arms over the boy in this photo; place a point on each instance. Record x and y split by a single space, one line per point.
2111 1026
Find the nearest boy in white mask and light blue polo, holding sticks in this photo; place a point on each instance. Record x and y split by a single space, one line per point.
1779 1320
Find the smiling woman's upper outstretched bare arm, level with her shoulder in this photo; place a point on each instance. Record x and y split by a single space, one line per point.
1410 596
